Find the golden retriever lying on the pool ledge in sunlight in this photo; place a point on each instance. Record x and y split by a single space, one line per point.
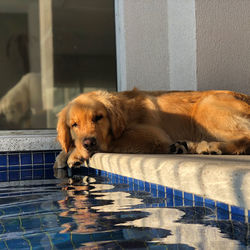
194 122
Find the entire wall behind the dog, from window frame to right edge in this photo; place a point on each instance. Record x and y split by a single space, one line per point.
183 44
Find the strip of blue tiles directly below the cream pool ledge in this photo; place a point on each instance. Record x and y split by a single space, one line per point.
173 198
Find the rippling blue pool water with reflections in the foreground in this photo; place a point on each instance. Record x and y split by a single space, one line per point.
92 211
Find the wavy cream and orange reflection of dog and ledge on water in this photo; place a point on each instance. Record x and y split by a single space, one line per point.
118 219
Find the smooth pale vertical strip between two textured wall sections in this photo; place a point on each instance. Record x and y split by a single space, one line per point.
182 44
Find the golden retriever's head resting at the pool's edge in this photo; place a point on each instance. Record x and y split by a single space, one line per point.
90 122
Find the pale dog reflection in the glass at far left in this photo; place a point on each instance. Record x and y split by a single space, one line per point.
21 101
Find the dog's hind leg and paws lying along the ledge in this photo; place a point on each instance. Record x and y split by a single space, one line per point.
241 146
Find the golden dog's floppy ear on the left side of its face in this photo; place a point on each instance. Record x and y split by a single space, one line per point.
63 131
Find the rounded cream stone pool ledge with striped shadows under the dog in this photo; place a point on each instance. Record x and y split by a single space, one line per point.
221 178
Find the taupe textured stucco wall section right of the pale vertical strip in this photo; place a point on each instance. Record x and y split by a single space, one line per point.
223 44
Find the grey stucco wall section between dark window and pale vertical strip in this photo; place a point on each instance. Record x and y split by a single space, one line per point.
142 44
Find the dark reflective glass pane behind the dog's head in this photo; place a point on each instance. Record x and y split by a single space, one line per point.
50 52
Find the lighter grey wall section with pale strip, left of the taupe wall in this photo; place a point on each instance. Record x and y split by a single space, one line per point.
156 47
